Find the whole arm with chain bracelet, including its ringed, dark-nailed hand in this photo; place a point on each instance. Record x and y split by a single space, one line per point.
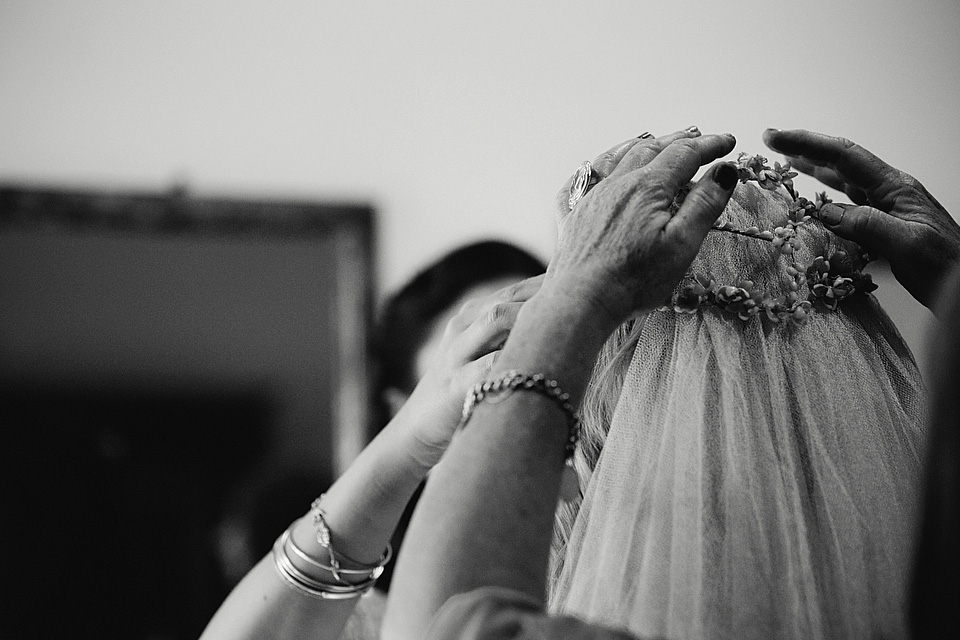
486 515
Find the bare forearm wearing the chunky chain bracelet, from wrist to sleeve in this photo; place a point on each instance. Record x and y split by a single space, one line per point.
486 516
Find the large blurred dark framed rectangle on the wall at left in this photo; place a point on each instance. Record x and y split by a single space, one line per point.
156 352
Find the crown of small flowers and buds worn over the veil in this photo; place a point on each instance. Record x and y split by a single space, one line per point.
828 280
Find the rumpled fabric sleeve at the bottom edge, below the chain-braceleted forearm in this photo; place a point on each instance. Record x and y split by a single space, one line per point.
503 614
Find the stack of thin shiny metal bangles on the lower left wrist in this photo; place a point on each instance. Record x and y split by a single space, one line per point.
312 586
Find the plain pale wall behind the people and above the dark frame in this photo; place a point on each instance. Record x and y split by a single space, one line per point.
458 120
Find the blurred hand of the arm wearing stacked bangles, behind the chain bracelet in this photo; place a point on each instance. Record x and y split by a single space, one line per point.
470 343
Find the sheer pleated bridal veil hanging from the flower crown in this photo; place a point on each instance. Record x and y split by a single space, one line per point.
757 479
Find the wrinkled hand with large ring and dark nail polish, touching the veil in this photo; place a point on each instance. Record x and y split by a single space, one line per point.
621 249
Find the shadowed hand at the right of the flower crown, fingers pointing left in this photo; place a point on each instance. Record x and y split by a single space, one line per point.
894 216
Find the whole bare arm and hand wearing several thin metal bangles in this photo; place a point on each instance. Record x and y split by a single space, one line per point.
365 504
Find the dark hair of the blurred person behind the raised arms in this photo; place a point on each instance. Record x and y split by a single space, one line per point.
408 318
